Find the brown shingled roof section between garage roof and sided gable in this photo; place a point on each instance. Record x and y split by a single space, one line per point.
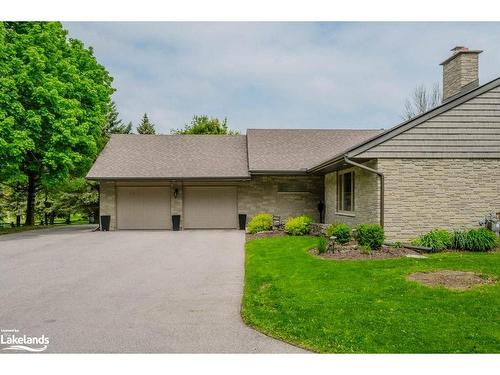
295 150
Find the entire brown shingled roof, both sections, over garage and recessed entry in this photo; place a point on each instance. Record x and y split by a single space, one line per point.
131 156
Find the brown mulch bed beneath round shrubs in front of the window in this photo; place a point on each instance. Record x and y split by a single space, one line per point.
352 251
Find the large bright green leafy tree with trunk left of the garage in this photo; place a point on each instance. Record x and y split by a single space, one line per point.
54 100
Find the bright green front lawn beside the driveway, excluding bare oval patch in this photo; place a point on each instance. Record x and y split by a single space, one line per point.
367 306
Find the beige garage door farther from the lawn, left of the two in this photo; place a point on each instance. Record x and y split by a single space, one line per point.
143 207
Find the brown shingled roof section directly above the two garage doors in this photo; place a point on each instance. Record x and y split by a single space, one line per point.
131 156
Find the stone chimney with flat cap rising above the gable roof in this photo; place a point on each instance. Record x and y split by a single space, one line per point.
460 72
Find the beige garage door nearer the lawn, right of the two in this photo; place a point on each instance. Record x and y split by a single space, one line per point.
210 207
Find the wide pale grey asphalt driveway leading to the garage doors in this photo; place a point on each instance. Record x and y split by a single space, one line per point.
128 291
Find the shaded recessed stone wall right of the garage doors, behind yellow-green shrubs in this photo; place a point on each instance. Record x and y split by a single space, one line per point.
262 195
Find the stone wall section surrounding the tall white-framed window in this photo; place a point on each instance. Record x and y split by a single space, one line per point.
366 197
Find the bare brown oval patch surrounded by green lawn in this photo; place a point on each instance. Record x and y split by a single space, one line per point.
460 280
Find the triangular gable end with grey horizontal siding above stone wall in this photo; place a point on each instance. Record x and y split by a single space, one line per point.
470 129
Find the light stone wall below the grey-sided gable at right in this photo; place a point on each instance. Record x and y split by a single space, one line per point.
422 194
